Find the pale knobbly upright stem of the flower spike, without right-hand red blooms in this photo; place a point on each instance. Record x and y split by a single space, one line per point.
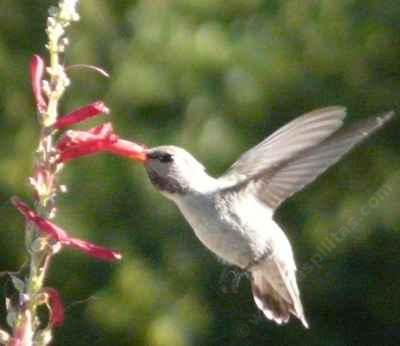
22 316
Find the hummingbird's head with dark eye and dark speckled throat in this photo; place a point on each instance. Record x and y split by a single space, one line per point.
172 170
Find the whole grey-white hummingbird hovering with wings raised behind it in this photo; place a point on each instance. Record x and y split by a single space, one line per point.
233 215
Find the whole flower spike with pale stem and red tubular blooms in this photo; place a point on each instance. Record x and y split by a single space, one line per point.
43 237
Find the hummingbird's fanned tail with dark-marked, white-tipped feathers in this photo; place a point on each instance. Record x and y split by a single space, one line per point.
275 292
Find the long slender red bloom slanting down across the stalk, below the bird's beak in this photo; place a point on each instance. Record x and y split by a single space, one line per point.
58 234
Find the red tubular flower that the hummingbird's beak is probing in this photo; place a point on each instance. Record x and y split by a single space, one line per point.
102 138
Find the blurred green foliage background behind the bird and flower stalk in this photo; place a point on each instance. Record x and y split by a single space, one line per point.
214 77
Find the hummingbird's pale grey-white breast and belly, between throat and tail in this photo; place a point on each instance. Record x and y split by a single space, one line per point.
236 227
